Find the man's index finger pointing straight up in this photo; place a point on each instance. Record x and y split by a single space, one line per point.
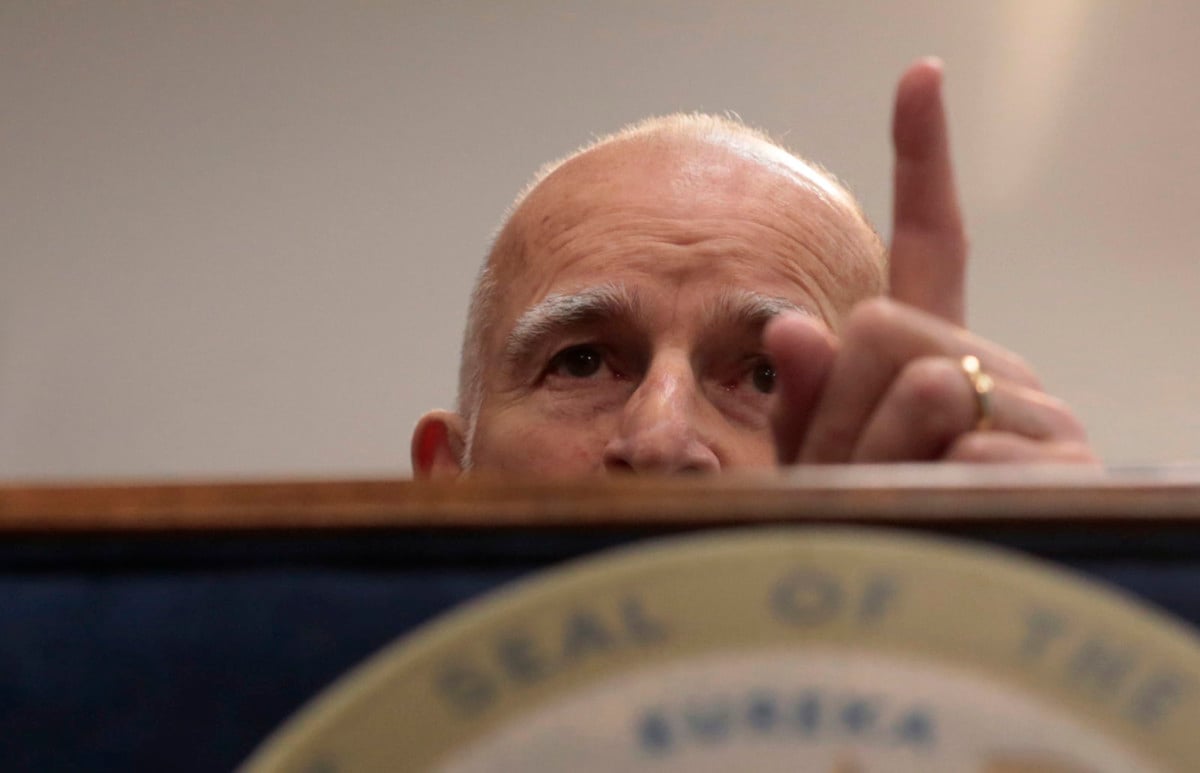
929 244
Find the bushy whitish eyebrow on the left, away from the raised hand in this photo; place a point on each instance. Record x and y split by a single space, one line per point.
561 311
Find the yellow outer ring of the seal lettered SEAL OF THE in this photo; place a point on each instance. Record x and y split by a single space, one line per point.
1125 669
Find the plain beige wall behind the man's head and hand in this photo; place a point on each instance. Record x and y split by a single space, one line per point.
238 239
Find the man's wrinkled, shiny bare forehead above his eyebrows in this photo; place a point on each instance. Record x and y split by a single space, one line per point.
679 212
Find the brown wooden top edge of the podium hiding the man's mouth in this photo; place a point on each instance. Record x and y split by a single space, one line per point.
916 495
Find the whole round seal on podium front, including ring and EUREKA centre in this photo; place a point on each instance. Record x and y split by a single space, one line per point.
849 651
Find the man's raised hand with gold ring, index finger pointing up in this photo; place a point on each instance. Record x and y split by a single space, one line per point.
893 387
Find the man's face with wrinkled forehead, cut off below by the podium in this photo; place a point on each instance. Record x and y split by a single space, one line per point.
633 293
